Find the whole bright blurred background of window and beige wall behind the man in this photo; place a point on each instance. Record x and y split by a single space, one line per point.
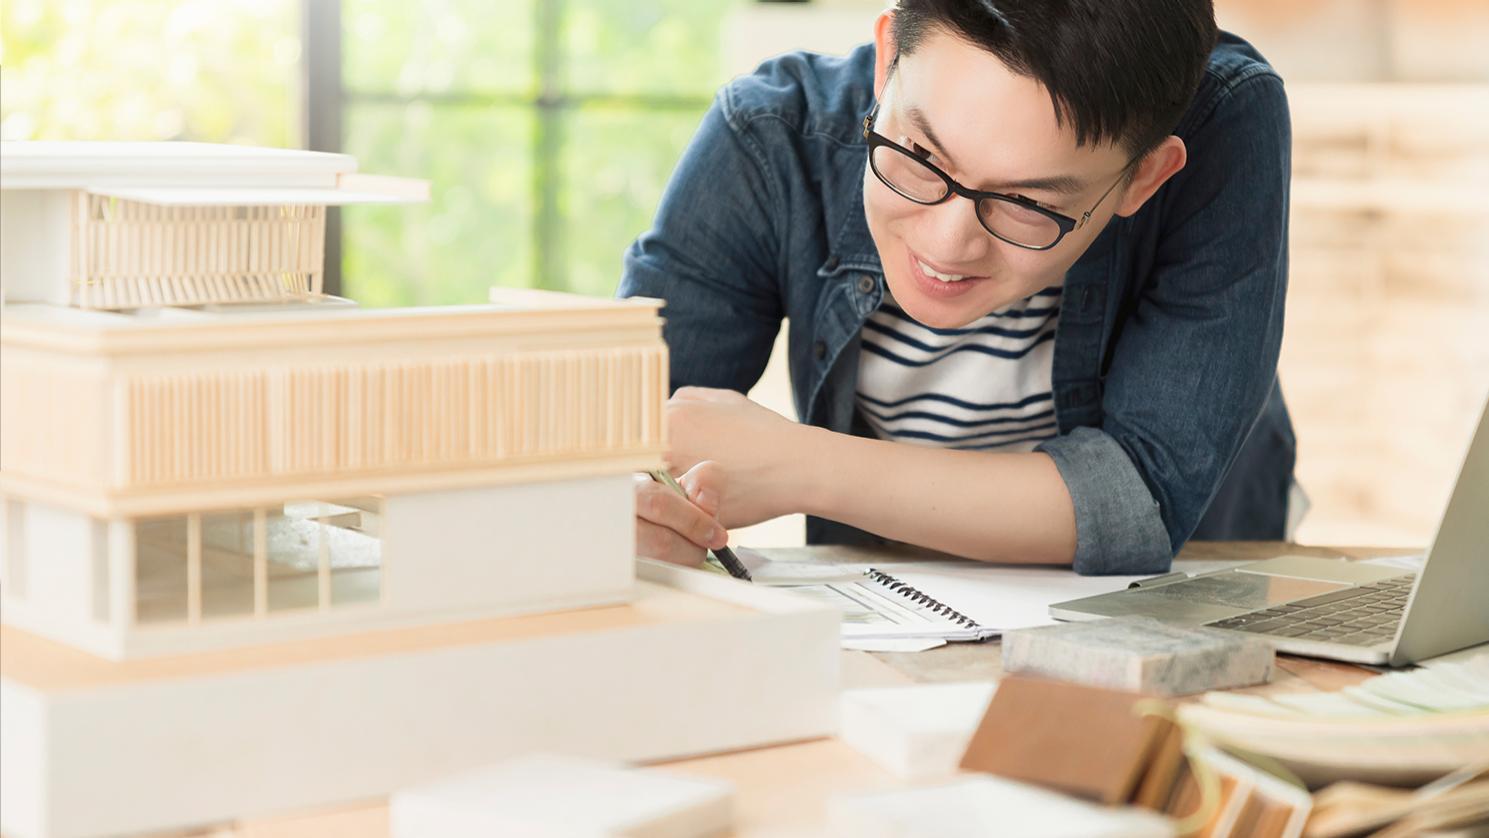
550 127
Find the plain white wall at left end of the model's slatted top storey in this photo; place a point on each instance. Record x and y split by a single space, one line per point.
35 236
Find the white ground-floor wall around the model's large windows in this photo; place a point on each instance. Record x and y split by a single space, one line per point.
446 556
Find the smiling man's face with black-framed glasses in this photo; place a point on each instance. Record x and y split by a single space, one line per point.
991 130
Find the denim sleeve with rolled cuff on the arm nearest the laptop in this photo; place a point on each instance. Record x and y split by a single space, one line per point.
1196 356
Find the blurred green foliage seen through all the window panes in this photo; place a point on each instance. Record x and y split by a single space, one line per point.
549 129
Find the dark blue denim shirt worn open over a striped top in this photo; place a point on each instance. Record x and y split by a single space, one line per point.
1171 422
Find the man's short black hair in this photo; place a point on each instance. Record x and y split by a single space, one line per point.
1122 72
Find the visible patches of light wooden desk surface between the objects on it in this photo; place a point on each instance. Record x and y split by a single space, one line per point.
784 791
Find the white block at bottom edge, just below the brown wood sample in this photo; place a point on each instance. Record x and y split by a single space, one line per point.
986 806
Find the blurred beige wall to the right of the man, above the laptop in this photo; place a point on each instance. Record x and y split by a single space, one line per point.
1387 352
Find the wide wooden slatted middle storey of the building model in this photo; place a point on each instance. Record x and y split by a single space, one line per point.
214 420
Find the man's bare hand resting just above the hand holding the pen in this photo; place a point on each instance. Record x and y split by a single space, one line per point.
753 447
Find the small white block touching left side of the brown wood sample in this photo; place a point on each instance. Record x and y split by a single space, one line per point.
915 732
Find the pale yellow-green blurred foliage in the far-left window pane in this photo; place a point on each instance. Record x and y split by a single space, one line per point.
214 71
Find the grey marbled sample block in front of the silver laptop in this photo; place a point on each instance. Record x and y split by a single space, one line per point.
1140 654
